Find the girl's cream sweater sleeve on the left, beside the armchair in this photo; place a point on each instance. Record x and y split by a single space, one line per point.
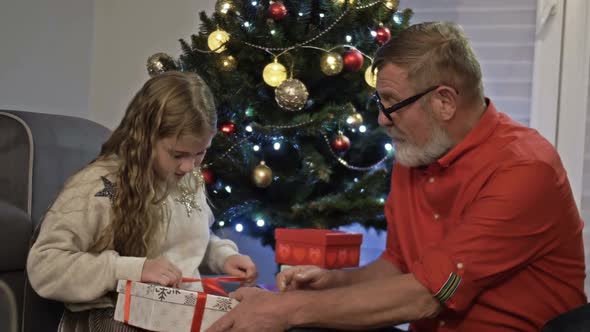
60 265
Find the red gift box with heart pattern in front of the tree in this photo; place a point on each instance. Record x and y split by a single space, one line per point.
321 247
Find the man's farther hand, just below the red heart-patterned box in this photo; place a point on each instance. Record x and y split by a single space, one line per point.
306 277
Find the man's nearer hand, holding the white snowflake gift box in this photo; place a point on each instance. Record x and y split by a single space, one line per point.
258 311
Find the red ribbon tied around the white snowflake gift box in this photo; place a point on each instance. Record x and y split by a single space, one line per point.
210 286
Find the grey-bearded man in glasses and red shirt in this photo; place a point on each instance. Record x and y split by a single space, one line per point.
483 231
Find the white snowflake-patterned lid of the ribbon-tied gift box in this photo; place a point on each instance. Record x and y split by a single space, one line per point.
175 295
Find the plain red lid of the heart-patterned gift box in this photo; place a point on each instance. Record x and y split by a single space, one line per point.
324 237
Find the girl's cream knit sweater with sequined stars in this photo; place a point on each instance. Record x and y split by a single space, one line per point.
60 267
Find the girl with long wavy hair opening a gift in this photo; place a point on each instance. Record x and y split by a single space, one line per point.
138 212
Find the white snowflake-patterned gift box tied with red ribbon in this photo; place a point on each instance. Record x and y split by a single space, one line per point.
159 308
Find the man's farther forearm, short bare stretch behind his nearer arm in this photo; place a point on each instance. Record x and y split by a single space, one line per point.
378 269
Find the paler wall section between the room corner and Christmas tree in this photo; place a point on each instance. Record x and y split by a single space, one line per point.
125 34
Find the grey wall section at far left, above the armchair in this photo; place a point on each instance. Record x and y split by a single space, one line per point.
45 57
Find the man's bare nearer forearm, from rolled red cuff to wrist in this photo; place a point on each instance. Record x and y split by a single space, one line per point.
371 304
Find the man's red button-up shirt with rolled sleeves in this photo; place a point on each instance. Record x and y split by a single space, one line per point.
491 229
